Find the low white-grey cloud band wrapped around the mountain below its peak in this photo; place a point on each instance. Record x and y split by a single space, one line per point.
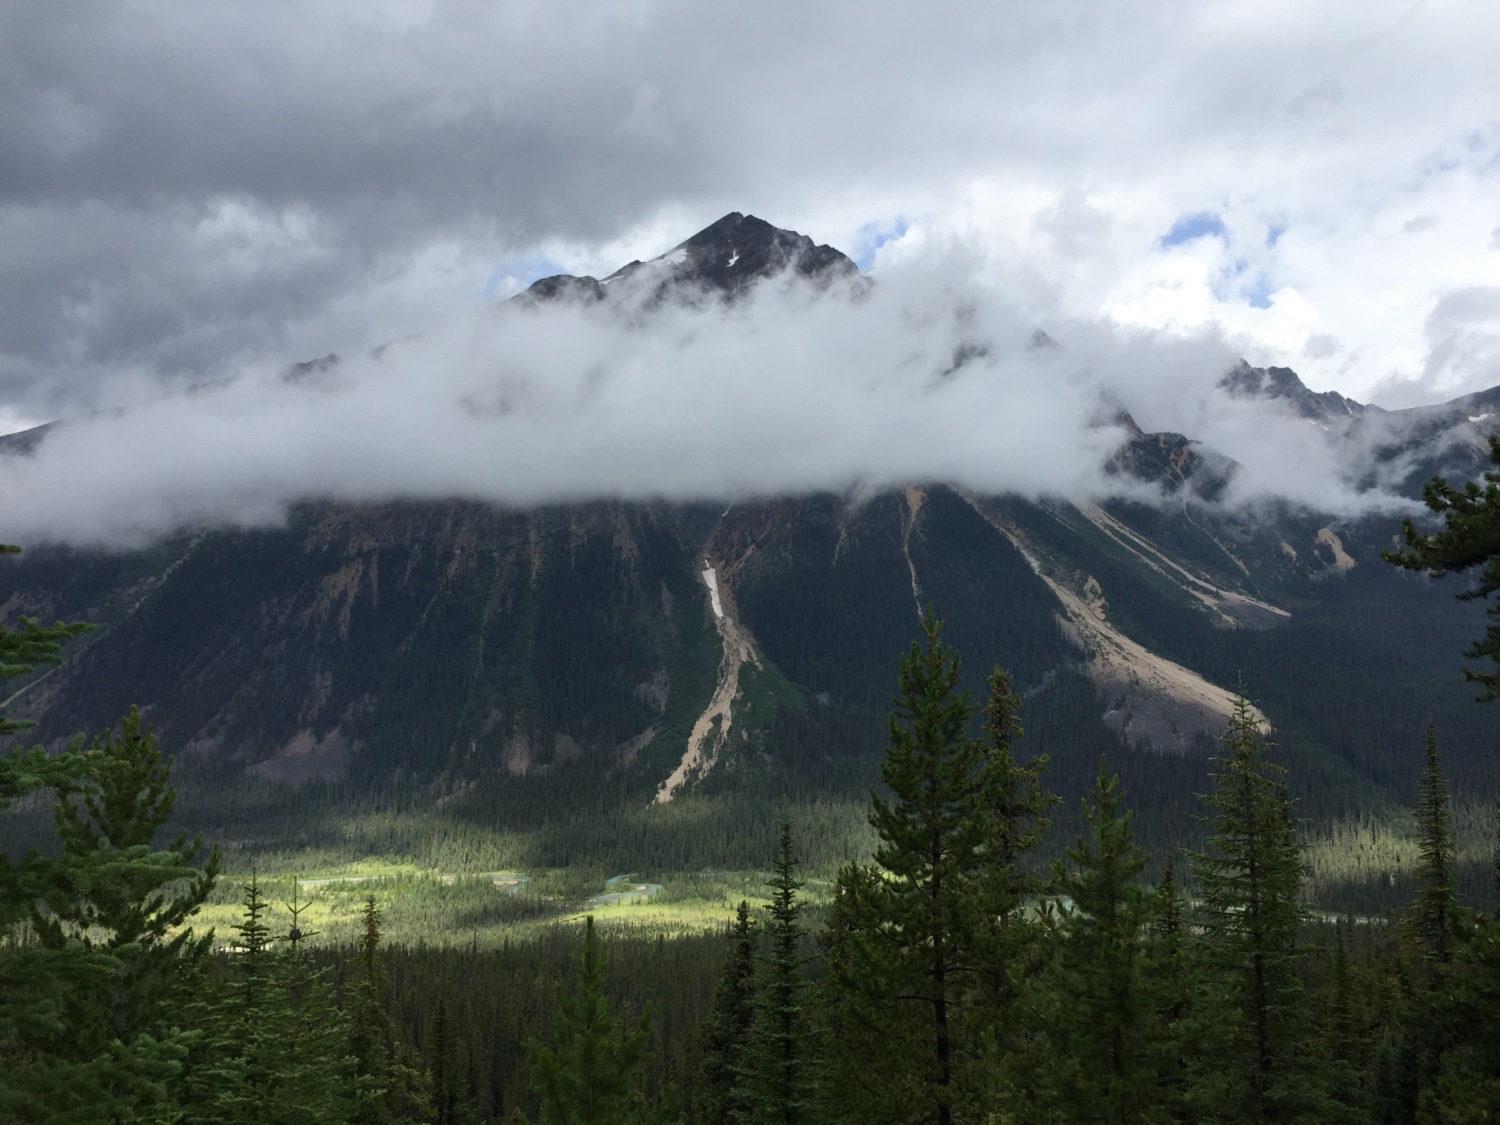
925 377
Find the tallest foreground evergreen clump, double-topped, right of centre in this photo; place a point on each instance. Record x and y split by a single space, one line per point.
919 947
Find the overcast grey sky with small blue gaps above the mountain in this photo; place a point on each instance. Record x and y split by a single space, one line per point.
191 191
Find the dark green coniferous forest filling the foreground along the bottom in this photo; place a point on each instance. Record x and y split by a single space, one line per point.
952 977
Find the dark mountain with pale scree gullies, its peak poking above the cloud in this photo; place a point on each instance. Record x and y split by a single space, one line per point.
661 647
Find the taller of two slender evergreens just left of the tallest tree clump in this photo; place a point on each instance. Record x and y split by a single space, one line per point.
778 1058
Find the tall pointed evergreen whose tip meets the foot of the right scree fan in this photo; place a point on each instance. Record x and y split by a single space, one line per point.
1250 913
